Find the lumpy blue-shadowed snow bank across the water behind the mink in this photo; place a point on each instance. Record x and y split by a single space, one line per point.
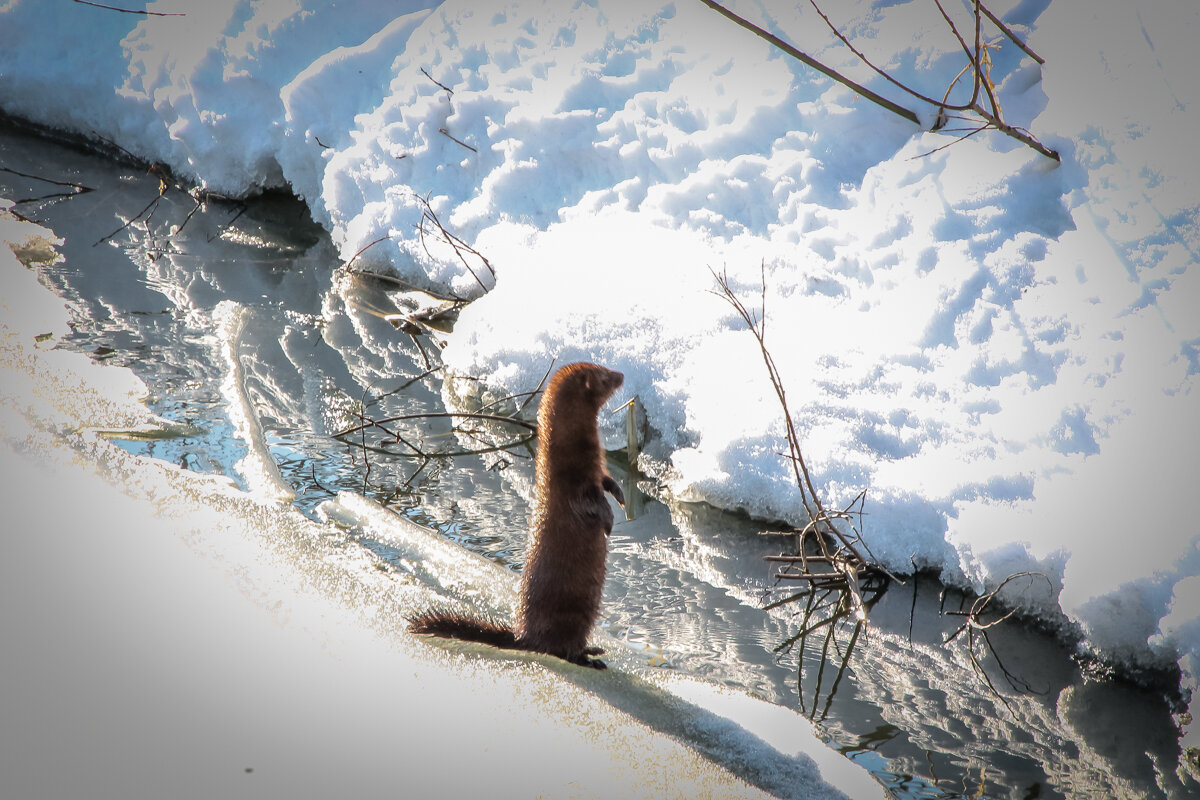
1001 350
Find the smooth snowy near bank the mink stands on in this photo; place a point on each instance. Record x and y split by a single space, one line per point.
169 635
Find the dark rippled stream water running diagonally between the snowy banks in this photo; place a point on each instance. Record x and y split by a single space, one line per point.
184 292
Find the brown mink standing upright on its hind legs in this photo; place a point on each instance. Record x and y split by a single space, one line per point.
563 579
